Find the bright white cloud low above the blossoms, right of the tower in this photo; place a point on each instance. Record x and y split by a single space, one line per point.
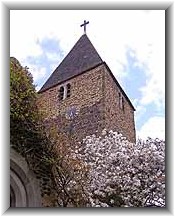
154 128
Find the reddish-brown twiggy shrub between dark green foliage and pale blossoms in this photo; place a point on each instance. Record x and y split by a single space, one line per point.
69 174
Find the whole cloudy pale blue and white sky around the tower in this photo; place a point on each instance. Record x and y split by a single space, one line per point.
132 43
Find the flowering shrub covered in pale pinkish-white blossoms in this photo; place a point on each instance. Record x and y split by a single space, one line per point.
123 174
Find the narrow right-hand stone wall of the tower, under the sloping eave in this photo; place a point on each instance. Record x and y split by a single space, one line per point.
117 118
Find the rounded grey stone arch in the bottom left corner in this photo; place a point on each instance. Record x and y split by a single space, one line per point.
24 187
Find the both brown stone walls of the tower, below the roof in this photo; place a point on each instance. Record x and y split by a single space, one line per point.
95 96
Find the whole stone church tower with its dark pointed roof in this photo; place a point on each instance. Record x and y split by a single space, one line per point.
83 97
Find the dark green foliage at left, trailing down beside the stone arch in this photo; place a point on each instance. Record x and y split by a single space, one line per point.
27 133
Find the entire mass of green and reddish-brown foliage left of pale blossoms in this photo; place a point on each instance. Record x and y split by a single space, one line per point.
47 154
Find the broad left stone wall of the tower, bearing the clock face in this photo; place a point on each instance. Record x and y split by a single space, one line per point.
86 97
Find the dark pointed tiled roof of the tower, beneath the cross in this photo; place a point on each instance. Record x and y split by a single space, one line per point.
82 57
